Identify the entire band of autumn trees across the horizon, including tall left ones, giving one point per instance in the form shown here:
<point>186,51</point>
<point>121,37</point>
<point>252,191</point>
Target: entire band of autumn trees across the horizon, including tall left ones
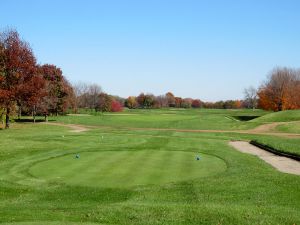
<point>27,87</point>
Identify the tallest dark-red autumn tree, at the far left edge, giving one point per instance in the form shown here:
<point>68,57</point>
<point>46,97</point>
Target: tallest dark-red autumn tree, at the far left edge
<point>18,72</point>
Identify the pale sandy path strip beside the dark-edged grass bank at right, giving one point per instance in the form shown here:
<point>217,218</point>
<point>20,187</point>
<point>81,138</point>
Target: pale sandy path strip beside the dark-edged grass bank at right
<point>283,164</point>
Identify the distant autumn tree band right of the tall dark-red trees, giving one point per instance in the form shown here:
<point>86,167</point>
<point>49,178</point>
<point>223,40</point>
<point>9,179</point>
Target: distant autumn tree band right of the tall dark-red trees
<point>280,91</point>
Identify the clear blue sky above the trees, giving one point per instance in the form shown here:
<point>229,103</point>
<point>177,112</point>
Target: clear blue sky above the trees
<point>207,49</point>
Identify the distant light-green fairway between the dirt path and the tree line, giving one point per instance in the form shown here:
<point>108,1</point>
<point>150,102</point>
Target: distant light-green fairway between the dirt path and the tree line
<point>209,119</point>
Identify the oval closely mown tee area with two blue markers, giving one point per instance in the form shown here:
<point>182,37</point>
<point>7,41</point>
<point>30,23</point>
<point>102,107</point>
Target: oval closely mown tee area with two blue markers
<point>127,168</point>
